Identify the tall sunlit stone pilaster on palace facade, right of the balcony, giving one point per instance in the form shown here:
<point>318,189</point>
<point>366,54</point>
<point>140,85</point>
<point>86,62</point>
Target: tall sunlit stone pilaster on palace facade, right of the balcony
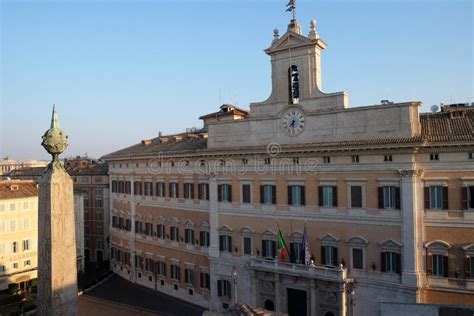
<point>412,227</point>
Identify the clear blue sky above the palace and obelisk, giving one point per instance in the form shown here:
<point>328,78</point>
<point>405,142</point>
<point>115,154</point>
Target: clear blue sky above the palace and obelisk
<point>121,71</point>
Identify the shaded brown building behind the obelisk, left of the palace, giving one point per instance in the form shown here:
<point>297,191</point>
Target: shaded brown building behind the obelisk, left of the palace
<point>91,181</point>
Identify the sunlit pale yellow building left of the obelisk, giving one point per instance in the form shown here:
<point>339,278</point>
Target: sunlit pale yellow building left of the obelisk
<point>18,233</point>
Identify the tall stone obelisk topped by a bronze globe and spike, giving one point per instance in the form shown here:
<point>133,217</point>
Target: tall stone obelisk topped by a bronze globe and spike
<point>57,270</point>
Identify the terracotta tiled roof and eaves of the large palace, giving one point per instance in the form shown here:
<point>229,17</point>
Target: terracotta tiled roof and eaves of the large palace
<point>435,127</point>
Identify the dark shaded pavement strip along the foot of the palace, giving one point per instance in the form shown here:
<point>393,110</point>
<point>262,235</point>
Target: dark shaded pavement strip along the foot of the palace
<point>124,292</point>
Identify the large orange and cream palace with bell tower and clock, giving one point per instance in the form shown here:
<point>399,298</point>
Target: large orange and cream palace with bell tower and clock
<point>384,192</point>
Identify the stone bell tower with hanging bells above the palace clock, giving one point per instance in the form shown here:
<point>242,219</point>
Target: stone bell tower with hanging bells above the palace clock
<point>296,73</point>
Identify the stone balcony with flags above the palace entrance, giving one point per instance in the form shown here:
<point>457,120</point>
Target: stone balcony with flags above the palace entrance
<point>299,270</point>
